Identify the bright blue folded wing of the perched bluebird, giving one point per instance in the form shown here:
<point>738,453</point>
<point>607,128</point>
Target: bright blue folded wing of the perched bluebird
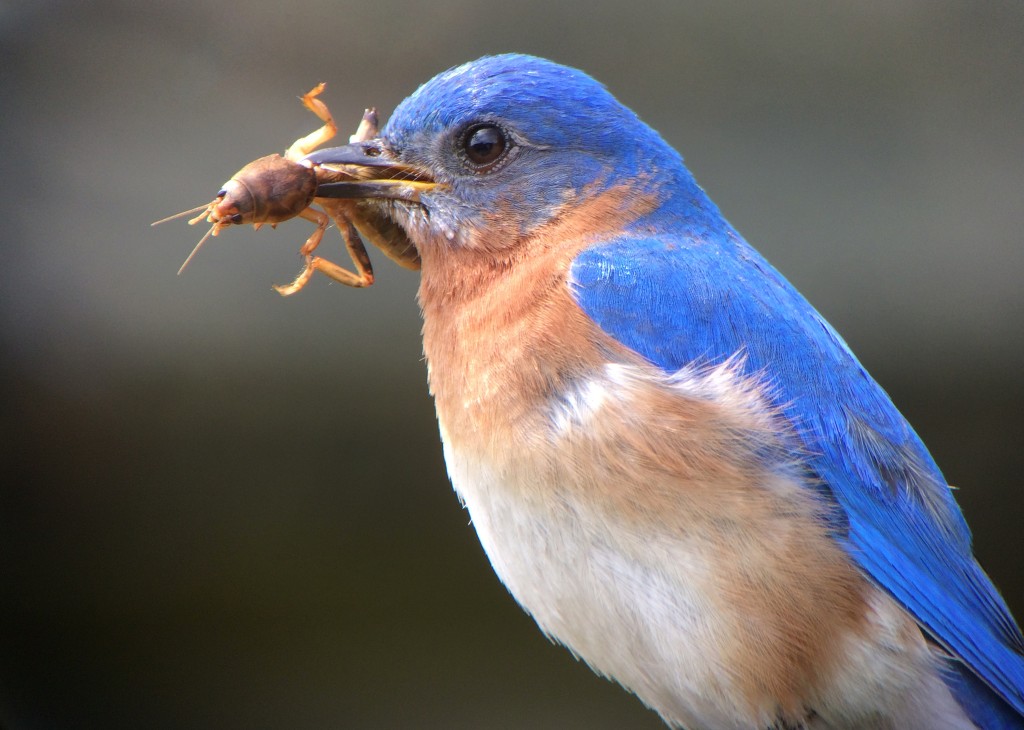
<point>706,296</point>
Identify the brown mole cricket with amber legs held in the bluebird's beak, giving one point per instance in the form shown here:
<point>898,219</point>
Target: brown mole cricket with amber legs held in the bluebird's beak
<point>276,189</point>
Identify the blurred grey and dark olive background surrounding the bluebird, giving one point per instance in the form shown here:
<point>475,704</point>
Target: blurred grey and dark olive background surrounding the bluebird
<point>221,508</point>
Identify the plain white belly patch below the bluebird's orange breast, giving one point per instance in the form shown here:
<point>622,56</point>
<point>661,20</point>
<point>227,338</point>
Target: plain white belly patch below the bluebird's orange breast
<point>592,582</point>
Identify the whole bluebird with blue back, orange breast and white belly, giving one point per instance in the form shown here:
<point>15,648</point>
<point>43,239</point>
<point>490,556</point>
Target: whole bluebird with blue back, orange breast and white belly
<point>673,462</point>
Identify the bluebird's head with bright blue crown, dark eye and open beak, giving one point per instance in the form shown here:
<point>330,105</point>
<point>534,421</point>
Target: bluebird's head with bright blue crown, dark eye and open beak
<point>499,147</point>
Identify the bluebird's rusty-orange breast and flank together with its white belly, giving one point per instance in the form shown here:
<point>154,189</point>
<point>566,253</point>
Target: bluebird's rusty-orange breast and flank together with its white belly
<point>644,524</point>
